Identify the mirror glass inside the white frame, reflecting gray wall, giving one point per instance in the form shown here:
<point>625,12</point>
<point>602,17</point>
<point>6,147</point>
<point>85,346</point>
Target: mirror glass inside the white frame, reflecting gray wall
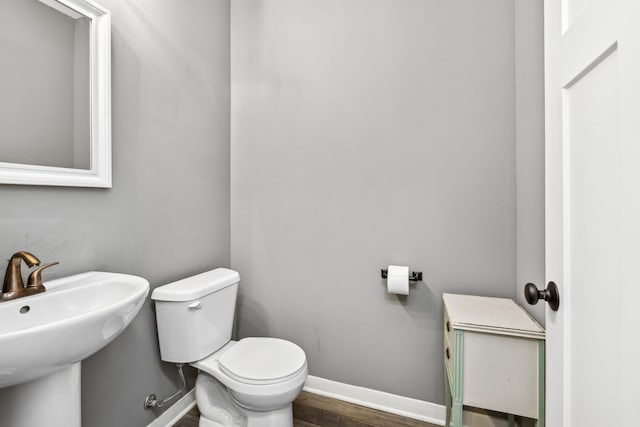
<point>44,84</point>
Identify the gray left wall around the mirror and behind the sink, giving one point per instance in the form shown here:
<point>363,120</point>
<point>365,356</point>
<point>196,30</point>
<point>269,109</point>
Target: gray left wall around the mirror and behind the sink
<point>167,215</point>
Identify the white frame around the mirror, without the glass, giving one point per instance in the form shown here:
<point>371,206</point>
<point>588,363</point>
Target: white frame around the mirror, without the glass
<point>99,174</point>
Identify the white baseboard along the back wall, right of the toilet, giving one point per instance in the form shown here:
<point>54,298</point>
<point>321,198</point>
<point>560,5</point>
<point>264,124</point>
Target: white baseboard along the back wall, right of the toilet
<point>404,406</point>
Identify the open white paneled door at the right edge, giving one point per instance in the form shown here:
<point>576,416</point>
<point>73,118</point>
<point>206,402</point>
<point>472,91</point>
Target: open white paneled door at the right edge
<point>592,80</point>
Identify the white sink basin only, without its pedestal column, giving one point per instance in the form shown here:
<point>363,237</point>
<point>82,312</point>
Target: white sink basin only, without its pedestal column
<point>77,316</point>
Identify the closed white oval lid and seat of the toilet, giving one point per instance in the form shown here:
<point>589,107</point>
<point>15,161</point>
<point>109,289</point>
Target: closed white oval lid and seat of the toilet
<point>262,360</point>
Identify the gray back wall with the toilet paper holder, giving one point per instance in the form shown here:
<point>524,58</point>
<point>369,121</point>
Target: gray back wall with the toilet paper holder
<point>367,133</point>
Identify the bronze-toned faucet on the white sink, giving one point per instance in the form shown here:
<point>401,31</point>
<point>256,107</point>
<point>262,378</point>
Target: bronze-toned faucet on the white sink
<point>13,286</point>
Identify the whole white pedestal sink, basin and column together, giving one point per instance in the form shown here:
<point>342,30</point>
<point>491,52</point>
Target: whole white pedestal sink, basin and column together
<point>44,337</point>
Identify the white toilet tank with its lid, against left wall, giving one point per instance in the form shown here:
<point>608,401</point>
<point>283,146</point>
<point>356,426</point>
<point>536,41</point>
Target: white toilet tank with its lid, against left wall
<point>195,315</point>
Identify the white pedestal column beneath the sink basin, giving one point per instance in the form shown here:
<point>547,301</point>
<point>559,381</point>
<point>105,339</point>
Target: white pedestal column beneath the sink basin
<point>52,401</point>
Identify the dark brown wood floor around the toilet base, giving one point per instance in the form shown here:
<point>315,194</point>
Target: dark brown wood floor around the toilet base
<point>312,410</point>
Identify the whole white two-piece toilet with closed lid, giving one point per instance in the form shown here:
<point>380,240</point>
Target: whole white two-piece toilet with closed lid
<point>250,382</point>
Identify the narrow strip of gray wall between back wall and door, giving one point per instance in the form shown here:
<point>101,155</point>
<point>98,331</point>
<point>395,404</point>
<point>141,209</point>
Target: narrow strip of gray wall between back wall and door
<point>529,79</point>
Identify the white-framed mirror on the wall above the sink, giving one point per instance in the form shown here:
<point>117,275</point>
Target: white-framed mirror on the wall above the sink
<point>55,77</point>
